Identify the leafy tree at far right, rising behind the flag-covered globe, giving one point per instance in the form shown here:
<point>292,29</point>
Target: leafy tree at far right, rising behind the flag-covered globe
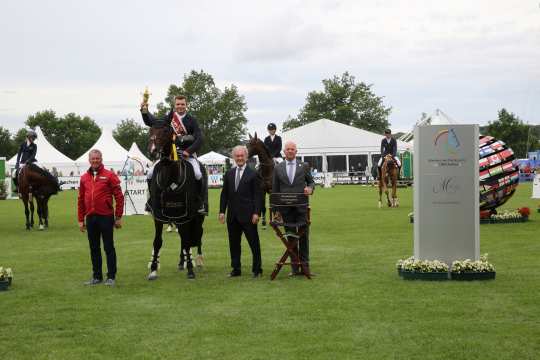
<point>510,129</point>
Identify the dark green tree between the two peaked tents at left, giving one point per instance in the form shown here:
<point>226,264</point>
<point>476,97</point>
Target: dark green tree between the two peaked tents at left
<point>72,134</point>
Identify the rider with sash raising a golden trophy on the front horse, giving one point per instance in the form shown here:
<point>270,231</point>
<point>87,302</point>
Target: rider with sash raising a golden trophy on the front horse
<point>184,124</point>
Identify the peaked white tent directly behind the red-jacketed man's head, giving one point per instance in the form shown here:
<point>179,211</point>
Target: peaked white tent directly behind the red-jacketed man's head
<point>114,155</point>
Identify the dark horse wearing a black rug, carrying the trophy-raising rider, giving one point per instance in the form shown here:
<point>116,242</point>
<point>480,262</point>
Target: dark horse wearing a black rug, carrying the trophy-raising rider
<point>173,198</point>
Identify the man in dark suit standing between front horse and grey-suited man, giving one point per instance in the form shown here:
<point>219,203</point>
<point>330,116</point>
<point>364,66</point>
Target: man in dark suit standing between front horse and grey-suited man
<point>240,197</point>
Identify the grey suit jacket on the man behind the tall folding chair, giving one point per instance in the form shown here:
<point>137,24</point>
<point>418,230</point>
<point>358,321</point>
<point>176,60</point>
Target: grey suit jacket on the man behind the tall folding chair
<point>302,178</point>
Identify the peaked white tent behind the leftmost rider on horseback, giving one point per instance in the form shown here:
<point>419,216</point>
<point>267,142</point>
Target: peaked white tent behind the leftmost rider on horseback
<point>48,156</point>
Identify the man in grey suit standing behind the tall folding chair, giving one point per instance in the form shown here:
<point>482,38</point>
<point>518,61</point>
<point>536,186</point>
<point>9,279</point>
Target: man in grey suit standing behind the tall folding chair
<point>292,176</point>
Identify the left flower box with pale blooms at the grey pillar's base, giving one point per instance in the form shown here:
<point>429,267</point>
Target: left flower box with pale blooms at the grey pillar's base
<point>413,269</point>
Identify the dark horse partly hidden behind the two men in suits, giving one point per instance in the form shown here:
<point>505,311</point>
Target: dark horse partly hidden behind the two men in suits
<point>255,146</point>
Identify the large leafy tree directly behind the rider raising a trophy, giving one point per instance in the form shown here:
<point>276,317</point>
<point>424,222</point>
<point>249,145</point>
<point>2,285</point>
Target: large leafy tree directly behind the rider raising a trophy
<point>220,113</point>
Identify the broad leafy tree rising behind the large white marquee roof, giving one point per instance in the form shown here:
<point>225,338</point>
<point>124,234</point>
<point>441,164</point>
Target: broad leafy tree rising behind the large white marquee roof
<point>345,101</point>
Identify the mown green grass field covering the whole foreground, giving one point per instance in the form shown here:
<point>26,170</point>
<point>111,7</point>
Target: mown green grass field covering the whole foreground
<point>355,308</point>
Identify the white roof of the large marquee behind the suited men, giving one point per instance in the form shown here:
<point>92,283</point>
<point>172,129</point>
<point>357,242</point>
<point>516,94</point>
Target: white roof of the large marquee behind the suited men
<point>330,137</point>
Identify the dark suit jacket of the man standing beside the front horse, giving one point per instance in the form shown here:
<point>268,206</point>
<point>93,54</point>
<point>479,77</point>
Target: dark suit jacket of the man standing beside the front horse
<point>244,202</point>
